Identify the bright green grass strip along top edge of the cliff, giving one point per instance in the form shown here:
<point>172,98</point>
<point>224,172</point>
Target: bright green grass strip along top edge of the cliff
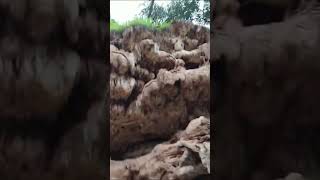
<point>148,23</point>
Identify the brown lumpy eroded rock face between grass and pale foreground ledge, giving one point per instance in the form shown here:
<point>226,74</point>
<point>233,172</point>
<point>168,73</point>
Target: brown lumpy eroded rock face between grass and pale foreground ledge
<point>156,87</point>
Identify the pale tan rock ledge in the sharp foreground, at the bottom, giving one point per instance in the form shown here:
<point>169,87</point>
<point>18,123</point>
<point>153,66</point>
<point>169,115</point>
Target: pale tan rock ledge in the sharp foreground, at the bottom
<point>185,156</point>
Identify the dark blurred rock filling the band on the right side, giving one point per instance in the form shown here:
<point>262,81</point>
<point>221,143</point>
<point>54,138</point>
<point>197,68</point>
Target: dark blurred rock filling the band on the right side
<point>266,89</point>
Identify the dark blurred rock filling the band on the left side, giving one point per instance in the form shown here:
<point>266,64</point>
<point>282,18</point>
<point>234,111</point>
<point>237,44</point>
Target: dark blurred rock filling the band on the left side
<point>52,89</point>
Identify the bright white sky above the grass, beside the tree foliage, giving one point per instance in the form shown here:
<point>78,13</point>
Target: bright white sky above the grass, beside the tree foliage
<point>125,10</point>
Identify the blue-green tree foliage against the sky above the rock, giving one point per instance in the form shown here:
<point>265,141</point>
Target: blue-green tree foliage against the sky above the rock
<point>190,10</point>
